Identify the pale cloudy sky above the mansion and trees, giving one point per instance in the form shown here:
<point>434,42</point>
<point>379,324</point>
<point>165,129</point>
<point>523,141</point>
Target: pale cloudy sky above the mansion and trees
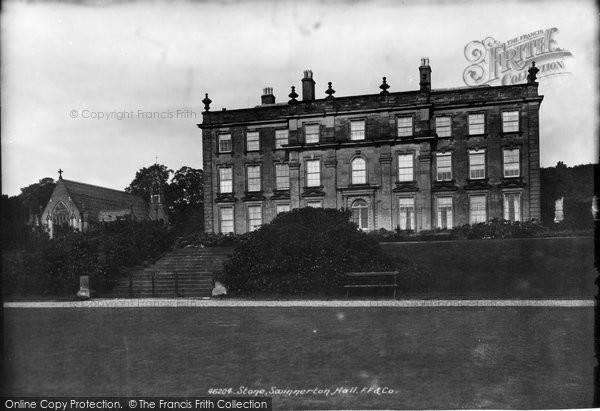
<point>85,84</point>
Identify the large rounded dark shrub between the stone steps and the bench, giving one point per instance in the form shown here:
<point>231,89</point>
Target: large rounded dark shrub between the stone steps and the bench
<point>306,250</point>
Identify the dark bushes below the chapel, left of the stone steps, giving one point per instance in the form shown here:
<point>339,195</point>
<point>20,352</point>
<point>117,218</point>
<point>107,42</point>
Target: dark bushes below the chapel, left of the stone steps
<point>53,267</point>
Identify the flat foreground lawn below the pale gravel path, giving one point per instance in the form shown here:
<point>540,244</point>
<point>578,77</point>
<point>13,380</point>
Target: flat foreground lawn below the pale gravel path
<point>431,357</point>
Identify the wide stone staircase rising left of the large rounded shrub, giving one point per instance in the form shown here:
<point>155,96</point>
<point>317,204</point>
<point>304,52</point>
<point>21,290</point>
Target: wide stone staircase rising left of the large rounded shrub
<point>185,272</point>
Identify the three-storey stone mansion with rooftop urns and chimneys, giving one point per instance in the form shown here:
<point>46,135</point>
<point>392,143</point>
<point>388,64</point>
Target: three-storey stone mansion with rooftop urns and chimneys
<point>414,160</point>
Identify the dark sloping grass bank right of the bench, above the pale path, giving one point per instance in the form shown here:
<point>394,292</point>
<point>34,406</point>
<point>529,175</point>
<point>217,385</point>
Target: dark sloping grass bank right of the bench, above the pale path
<point>511,268</point>
